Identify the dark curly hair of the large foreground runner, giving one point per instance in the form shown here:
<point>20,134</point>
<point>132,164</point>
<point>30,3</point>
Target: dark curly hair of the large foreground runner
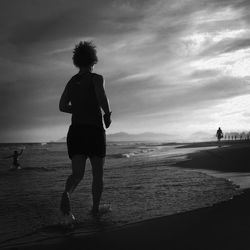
<point>84,54</point>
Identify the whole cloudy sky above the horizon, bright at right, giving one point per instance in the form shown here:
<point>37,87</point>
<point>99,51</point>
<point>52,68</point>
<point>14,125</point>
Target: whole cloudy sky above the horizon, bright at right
<point>170,66</point>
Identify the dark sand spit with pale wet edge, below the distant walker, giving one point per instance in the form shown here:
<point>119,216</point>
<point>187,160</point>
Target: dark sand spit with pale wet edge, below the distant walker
<point>219,163</point>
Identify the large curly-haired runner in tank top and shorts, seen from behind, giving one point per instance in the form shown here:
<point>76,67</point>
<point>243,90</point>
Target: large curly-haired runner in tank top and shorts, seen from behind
<point>84,97</point>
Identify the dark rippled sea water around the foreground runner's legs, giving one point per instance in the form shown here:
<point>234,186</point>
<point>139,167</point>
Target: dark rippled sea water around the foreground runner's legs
<point>141,182</point>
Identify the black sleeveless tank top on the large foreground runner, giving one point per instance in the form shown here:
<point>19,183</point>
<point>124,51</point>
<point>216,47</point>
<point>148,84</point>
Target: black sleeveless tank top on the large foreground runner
<point>85,107</point>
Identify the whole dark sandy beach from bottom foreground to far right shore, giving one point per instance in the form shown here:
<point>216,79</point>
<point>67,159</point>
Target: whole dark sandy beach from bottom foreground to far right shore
<point>225,225</point>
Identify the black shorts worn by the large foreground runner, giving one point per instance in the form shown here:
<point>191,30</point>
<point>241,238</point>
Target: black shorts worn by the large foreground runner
<point>86,140</point>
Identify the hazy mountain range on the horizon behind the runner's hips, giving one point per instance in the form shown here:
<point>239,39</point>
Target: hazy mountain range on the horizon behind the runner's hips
<point>122,136</point>
